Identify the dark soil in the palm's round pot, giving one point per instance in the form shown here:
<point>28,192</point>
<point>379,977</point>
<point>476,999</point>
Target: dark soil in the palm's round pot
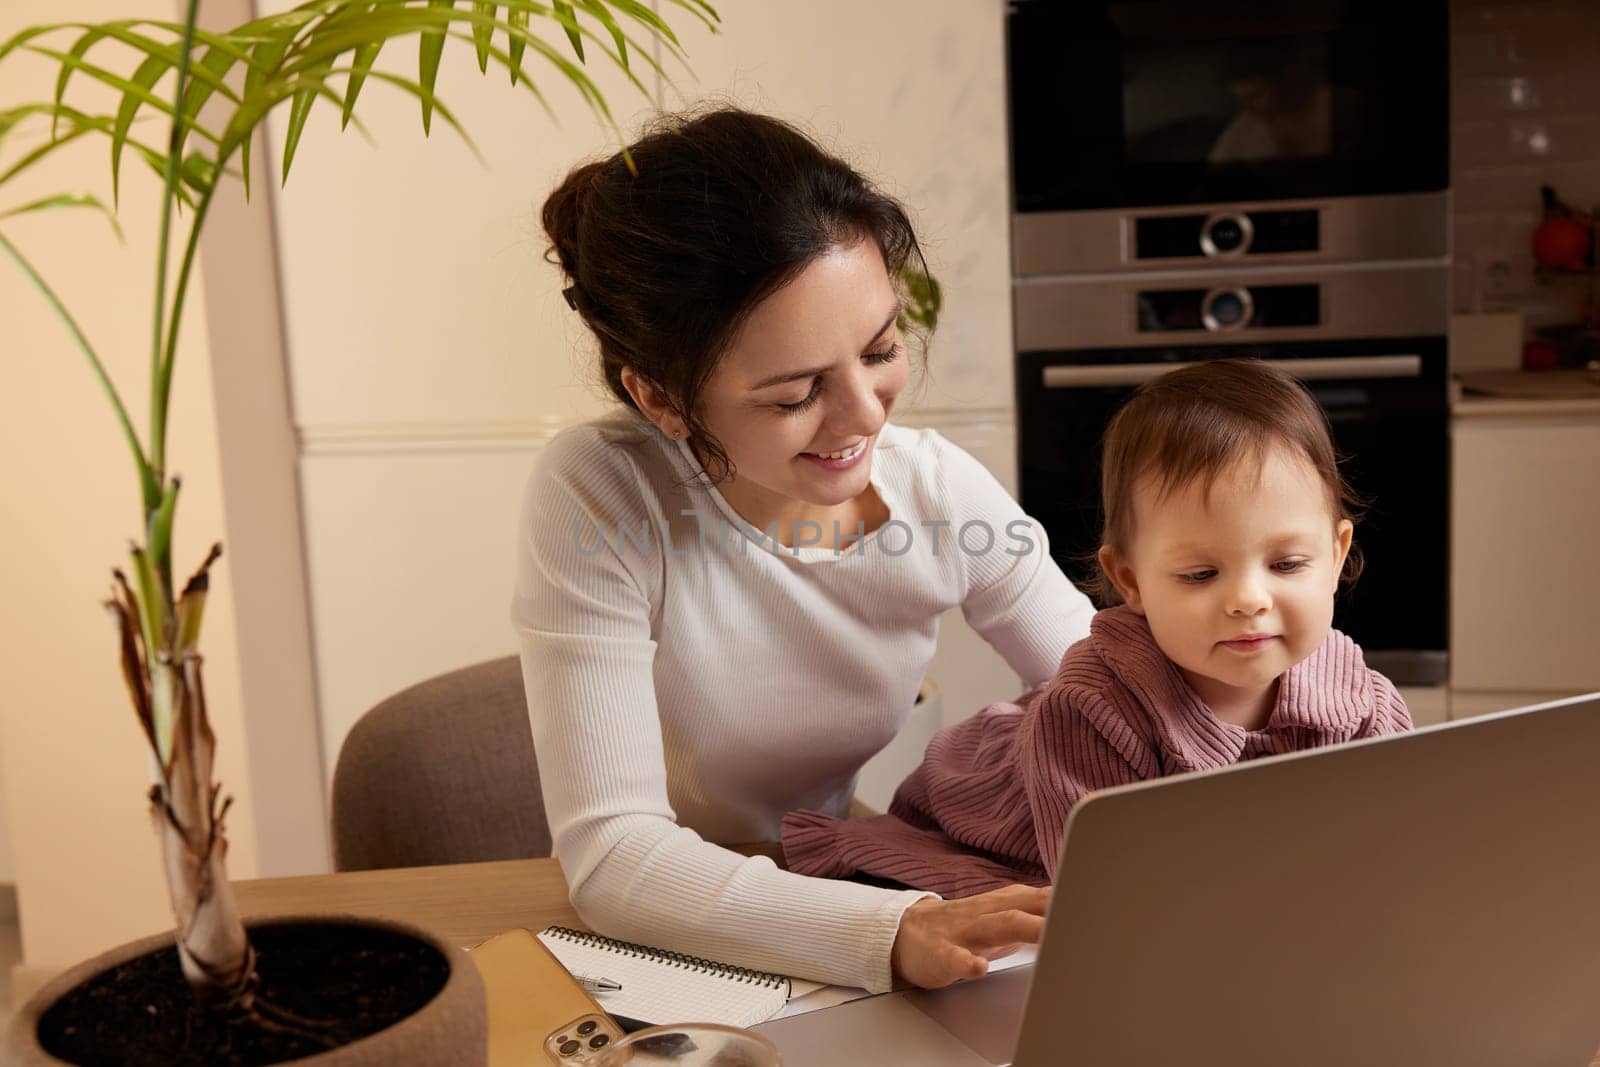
<point>356,978</point>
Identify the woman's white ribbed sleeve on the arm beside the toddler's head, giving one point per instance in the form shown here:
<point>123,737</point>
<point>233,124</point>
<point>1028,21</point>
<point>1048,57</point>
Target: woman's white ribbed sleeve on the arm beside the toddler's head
<point>1017,596</point>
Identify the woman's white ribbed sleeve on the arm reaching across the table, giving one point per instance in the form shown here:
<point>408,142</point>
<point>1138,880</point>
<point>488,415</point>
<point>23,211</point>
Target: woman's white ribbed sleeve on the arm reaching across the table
<point>585,613</point>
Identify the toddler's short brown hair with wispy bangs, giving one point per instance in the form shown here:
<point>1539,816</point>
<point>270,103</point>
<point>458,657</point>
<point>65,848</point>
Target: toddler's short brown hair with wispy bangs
<point>1199,422</point>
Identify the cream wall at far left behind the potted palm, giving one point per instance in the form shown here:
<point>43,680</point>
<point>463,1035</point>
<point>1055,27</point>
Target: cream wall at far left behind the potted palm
<point>76,770</point>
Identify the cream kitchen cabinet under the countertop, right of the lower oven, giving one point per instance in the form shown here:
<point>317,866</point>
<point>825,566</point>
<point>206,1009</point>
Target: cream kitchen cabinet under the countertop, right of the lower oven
<point>1526,530</point>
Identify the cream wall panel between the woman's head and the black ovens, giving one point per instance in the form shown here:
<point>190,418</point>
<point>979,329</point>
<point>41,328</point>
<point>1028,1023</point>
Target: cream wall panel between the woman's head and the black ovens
<point>911,92</point>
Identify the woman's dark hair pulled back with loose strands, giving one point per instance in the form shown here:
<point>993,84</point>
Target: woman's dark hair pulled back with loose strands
<point>719,210</point>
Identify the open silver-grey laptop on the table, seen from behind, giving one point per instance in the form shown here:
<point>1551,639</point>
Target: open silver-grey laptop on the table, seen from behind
<point>1428,898</point>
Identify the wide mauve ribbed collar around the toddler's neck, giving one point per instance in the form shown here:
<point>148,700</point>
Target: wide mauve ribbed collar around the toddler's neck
<point>1329,693</point>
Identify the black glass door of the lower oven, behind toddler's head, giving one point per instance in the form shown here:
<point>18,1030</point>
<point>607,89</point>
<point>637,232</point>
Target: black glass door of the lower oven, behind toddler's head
<point>1390,428</point>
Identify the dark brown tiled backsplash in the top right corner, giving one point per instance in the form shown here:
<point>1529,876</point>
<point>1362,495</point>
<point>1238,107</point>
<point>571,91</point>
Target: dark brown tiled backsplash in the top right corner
<point>1526,113</point>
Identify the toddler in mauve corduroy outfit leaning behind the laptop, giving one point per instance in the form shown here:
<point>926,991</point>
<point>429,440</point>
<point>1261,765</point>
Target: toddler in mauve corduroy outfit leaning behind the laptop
<point>1228,532</point>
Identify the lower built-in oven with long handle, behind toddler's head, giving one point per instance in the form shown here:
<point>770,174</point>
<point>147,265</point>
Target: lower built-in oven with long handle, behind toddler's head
<point>1367,342</point>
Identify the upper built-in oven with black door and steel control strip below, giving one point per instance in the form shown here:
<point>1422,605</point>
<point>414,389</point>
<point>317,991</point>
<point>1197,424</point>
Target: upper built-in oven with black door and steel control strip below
<point>1169,134</point>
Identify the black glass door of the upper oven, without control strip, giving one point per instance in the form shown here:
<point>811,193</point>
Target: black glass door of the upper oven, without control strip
<point>1148,103</point>
